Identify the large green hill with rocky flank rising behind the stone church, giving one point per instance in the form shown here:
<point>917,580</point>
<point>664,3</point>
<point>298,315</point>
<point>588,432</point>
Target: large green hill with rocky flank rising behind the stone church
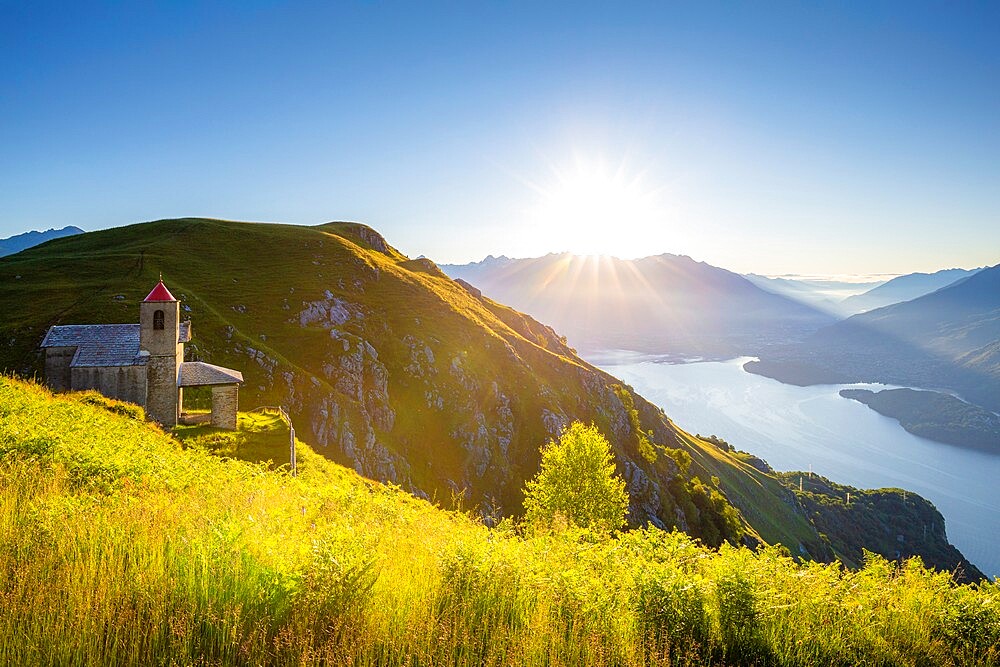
<point>385,363</point>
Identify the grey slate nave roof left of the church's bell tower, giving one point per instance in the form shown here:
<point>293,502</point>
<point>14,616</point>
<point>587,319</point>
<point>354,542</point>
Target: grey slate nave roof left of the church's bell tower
<point>98,344</point>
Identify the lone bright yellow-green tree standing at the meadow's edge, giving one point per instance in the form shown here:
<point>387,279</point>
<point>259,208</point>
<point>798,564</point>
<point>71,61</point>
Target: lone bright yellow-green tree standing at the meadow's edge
<point>577,482</point>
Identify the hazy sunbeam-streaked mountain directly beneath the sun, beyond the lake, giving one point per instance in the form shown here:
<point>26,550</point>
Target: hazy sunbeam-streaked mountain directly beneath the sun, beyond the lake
<point>663,304</point>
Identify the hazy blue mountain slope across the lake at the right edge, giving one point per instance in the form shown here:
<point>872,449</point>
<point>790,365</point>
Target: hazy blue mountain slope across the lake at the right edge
<point>947,339</point>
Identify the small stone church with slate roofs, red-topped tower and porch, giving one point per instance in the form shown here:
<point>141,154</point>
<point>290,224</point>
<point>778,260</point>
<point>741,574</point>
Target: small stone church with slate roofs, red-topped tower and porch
<point>141,363</point>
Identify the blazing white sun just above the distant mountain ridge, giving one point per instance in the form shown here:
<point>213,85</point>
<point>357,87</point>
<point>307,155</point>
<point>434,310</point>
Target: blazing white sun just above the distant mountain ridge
<point>593,207</point>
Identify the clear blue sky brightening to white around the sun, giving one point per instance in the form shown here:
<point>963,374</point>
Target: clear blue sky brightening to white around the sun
<point>853,137</point>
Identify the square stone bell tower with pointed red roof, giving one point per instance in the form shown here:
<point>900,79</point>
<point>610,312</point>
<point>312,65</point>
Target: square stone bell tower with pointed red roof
<point>159,337</point>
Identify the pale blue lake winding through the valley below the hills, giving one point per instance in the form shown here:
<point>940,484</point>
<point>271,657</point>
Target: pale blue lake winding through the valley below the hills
<point>794,428</point>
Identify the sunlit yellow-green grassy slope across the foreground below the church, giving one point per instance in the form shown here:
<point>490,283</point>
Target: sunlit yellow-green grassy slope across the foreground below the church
<point>120,546</point>
